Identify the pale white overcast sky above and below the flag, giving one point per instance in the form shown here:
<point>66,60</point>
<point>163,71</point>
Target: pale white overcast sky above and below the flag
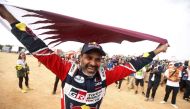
<point>168,19</point>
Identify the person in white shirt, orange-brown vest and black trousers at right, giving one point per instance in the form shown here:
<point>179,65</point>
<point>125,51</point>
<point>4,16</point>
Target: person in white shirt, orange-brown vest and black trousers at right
<point>173,77</point>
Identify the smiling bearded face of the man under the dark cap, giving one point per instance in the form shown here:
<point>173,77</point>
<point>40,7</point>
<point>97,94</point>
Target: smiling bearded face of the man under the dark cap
<point>90,62</point>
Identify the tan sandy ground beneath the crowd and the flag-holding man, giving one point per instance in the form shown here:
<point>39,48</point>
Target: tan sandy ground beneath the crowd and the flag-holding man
<point>42,80</point>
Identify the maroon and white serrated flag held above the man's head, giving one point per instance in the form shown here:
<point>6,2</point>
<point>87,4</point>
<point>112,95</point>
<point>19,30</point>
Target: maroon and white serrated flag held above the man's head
<point>64,28</point>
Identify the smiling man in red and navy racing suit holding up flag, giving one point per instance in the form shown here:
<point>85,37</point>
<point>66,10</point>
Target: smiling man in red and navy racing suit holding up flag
<point>83,84</point>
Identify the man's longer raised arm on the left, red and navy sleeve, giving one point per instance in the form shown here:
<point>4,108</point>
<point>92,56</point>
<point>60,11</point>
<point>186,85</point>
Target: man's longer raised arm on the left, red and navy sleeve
<point>36,46</point>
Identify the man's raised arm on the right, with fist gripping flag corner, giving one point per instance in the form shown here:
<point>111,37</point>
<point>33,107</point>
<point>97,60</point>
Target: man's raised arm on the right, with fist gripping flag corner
<point>134,65</point>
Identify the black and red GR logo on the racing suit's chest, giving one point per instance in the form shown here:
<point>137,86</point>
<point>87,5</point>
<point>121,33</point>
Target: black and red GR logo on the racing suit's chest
<point>77,94</point>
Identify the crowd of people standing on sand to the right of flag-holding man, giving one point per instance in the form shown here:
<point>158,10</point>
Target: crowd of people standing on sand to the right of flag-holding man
<point>175,75</point>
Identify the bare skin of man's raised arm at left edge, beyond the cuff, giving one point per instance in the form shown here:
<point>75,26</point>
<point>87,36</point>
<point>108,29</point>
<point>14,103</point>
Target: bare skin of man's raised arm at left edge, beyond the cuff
<point>5,14</point>
